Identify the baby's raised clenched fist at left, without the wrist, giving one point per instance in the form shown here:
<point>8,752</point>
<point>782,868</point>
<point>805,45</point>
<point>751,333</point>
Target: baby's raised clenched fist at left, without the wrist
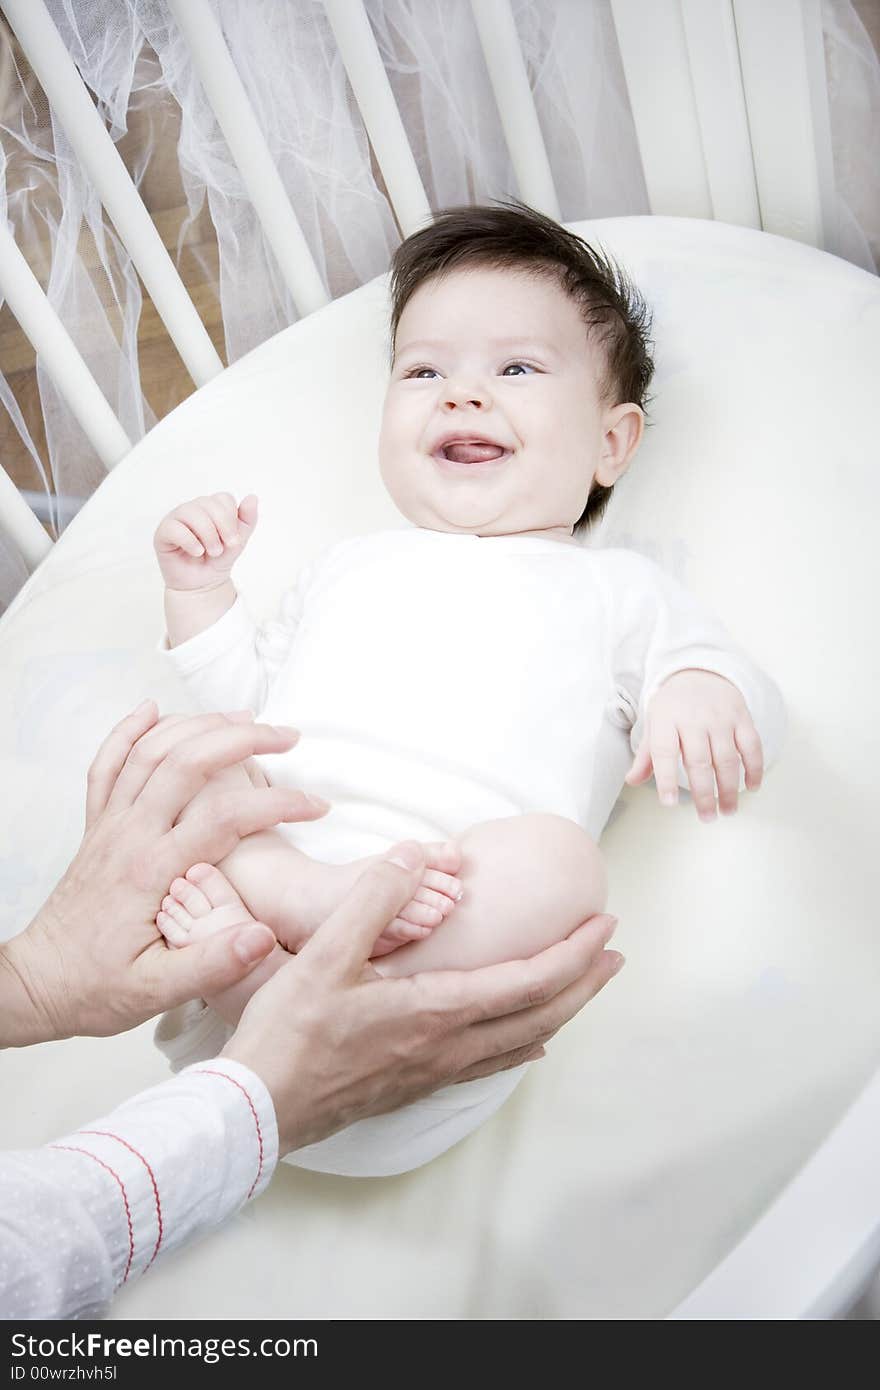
<point>198,544</point>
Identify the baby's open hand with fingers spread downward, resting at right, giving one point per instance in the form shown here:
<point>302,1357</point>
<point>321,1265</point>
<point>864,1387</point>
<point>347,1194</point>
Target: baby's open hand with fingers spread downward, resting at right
<point>704,717</point>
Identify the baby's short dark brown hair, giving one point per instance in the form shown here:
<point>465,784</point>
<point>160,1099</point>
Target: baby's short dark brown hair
<point>511,236</point>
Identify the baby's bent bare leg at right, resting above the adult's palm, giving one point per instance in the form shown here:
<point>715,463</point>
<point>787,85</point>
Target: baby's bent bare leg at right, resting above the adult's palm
<point>529,882</point>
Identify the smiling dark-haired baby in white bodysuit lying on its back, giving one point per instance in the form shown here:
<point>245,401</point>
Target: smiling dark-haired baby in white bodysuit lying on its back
<point>480,680</point>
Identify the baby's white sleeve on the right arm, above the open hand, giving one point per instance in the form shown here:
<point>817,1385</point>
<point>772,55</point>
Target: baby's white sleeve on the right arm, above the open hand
<point>658,628</point>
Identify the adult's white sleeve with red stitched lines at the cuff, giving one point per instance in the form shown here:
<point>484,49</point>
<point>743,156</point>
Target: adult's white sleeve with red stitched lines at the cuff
<point>92,1211</point>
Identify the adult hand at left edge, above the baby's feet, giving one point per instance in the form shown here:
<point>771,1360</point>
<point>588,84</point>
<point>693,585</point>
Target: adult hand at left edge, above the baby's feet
<point>92,961</point>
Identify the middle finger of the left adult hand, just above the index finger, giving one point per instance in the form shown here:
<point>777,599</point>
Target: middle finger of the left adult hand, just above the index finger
<point>193,762</point>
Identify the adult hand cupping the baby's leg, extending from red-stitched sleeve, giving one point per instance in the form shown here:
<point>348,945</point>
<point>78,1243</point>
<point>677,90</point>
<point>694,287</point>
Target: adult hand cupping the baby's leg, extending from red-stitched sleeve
<point>333,1040</point>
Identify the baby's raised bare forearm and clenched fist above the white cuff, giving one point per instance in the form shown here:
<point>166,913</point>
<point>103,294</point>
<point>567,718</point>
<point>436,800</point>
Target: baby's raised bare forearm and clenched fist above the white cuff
<point>197,547</point>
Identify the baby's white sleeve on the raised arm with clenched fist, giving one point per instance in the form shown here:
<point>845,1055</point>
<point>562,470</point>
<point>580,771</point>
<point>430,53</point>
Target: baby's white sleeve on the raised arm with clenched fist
<point>233,664</point>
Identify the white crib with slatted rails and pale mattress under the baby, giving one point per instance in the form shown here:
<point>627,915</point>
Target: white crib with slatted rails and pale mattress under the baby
<point>704,1140</point>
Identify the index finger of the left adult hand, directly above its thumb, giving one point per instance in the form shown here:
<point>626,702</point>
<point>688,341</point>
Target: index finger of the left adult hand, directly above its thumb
<point>218,824</point>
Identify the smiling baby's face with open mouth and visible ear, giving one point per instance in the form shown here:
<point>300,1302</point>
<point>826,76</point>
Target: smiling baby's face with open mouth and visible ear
<point>494,422</point>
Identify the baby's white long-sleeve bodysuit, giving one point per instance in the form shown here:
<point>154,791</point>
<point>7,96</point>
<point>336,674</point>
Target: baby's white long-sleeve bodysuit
<point>441,680</point>
